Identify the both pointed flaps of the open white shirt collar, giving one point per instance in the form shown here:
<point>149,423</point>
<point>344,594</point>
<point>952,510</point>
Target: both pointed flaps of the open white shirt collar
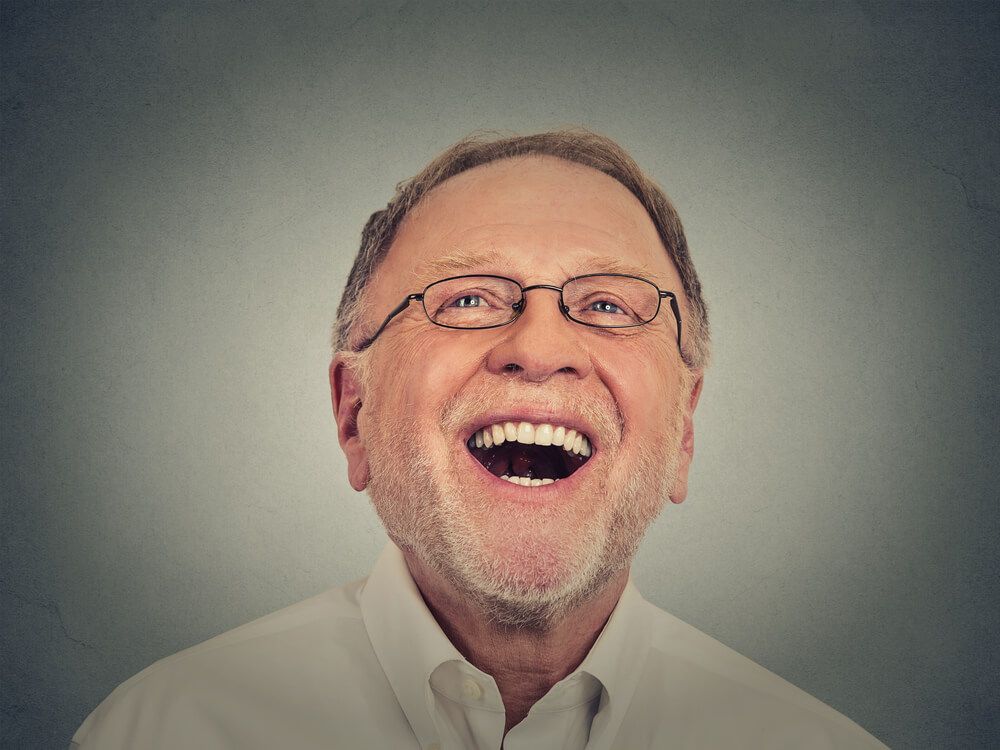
<point>410,645</point>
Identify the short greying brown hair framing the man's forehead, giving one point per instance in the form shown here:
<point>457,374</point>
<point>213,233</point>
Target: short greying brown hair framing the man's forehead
<point>576,145</point>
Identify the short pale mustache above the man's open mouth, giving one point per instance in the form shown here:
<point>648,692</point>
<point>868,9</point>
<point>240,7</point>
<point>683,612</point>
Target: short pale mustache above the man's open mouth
<point>599,411</point>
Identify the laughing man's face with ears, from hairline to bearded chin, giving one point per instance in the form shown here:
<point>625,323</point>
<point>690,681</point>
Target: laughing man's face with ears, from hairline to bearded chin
<point>518,548</point>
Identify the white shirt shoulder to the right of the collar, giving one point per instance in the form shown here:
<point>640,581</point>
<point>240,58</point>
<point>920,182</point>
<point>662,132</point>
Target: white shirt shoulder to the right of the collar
<point>724,699</point>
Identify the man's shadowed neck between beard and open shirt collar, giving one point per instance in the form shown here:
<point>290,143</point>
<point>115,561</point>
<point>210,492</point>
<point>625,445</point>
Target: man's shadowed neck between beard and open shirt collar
<point>525,663</point>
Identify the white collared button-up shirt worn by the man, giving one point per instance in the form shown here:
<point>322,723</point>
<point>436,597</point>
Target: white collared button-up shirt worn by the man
<point>367,666</point>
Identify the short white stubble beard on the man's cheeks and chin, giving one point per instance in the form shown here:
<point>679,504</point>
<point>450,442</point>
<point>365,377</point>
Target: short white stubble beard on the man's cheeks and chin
<point>415,487</point>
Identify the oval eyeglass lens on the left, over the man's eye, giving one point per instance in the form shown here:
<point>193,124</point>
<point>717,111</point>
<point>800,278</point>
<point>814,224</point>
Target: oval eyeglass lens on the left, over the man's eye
<point>472,301</point>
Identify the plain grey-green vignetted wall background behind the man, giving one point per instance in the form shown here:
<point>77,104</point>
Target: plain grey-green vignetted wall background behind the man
<point>183,190</point>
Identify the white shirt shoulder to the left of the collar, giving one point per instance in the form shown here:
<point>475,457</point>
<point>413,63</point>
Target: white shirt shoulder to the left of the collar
<point>303,666</point>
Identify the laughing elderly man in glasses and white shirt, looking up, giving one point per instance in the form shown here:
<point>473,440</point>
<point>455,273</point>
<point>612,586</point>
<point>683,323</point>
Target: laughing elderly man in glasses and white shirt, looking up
<point>519,354</point>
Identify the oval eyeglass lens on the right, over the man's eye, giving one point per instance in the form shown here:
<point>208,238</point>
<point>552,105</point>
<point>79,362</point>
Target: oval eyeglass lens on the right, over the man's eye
<point>611,301</point>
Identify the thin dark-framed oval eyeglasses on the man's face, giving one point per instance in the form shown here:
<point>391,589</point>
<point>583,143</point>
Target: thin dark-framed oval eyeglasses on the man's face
<point>597,300</point>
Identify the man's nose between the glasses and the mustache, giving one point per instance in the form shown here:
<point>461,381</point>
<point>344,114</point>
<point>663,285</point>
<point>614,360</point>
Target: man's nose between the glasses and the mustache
<point>541,343</point>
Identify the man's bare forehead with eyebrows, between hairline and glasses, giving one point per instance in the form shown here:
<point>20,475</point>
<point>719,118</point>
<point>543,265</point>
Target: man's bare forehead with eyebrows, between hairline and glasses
<point>538,219</point>
